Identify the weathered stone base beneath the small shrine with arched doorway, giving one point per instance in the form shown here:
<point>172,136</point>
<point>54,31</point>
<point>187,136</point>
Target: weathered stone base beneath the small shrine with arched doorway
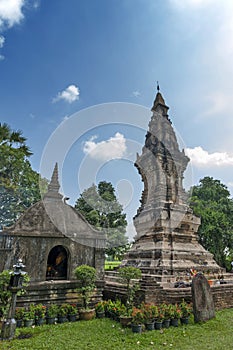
<point>57,292</point>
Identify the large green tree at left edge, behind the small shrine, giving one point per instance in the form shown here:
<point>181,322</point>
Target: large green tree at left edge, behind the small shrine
<point>19,183</point>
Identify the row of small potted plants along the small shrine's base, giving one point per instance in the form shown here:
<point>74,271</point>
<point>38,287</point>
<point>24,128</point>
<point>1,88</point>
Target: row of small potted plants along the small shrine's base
<point>39,314</point>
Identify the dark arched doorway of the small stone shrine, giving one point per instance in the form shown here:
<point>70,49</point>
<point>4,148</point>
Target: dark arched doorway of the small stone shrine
<point>57,263</point>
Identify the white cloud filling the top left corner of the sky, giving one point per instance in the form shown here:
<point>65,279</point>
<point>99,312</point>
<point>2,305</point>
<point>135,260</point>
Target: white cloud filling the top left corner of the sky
<point>11,12</point>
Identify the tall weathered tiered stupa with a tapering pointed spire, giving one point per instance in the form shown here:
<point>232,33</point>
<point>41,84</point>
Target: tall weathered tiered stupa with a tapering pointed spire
<point>167,241</point>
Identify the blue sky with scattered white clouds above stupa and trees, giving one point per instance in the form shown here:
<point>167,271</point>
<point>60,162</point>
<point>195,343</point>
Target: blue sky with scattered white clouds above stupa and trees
<point>60,57</point>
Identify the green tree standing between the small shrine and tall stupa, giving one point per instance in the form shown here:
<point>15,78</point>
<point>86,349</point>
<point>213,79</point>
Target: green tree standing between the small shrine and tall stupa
<point>100,207</point>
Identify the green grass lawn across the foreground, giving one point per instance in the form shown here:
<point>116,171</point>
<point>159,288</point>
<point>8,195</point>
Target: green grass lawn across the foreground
<point>106,334</point>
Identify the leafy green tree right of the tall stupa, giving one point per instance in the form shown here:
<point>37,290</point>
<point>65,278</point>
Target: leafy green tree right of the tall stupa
<point>211,201</point>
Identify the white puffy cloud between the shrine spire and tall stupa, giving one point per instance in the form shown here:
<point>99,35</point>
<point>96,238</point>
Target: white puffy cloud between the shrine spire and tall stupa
<point>114,147</point>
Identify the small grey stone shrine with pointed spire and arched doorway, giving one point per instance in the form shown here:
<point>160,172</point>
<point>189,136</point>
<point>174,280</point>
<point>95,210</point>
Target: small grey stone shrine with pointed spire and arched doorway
<point>52,239</point>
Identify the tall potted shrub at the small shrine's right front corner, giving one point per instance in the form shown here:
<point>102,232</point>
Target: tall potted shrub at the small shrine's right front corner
<point>86,275</point>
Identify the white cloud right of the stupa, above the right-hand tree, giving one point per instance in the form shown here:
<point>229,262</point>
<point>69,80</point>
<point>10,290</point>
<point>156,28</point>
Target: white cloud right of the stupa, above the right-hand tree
<point>201,158</point>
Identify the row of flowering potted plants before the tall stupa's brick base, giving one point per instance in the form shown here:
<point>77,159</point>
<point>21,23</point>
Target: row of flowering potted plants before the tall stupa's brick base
<point>149,315</point>
